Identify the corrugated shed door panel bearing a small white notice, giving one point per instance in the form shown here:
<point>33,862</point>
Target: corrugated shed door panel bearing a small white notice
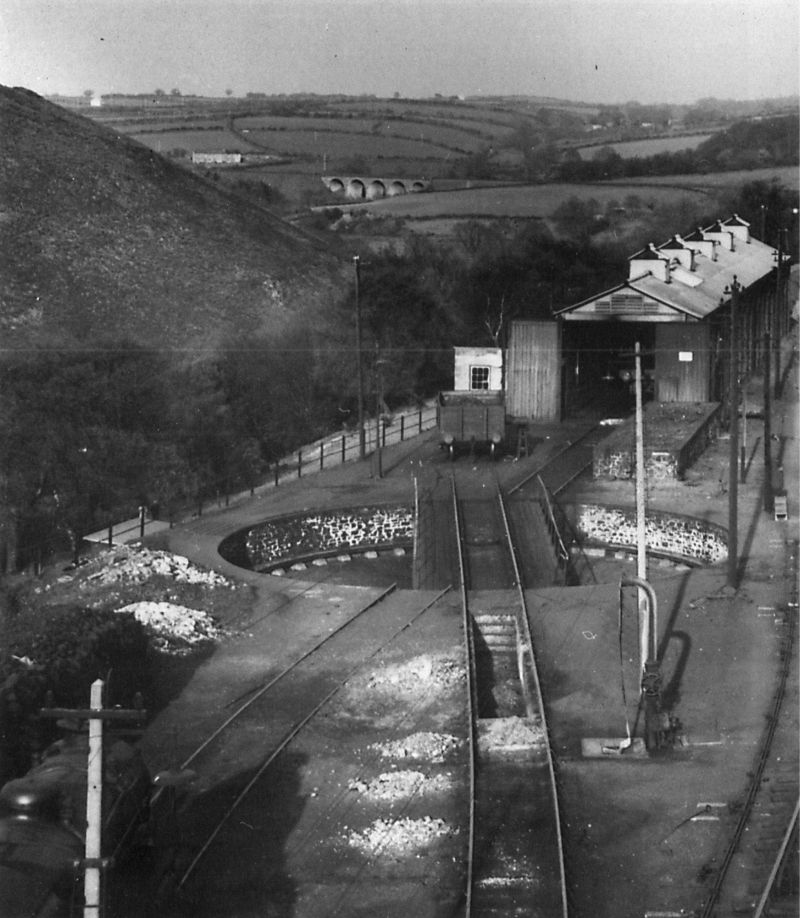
<point>682,365</point>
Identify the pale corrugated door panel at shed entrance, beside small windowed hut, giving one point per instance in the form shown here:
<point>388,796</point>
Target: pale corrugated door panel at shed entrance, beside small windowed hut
<point>533,378</point>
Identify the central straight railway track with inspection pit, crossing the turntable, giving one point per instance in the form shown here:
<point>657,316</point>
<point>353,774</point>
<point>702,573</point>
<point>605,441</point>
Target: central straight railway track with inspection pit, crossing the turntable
<point>515,851</point>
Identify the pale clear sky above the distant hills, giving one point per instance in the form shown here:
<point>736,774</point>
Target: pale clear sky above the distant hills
<point>596,51</point>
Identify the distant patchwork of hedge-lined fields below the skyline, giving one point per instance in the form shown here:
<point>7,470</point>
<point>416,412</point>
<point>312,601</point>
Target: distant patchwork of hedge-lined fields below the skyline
<point>429,139</point>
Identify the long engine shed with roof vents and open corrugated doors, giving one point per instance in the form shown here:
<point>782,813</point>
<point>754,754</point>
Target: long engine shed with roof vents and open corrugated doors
<point>676,303</point>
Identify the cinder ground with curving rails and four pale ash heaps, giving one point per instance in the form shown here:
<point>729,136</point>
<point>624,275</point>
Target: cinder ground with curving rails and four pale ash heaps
<point>352,769</point>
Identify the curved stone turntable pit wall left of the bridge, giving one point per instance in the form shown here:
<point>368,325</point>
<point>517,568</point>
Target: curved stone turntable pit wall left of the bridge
<point>288,539</point>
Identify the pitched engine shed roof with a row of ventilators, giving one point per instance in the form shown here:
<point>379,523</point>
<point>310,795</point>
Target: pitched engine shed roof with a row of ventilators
<point>681,295</point>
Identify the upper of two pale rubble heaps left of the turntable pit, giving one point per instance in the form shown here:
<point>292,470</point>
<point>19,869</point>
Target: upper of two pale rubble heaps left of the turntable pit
<point>132,564</point>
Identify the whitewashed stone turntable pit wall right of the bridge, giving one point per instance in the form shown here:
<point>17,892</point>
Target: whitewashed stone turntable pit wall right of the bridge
<point>667,534</point>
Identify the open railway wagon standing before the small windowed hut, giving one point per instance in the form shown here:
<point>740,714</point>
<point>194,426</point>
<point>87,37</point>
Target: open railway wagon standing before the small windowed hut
<point>472,419</point>
